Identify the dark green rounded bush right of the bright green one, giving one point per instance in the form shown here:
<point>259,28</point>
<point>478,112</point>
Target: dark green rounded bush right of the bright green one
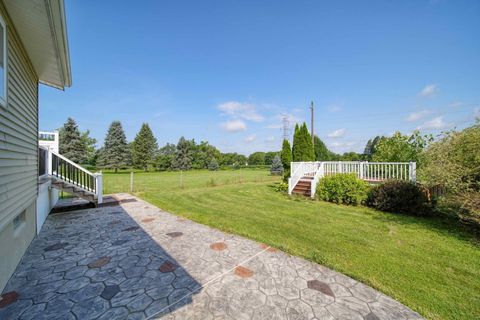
<point>399,197</point>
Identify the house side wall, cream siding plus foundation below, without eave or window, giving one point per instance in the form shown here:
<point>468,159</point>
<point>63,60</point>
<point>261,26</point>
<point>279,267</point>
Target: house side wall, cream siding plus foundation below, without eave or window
<point>18,154</point>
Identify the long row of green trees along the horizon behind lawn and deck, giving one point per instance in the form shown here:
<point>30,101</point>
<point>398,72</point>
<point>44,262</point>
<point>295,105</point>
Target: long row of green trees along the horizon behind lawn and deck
<point>144,153</point>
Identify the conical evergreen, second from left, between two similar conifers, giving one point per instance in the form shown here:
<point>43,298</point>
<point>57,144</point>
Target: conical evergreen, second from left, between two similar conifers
<point>115,151</point>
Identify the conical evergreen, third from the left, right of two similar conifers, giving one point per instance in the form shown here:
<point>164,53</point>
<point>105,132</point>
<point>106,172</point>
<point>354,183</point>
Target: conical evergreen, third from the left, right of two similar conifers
<point>144,147</point>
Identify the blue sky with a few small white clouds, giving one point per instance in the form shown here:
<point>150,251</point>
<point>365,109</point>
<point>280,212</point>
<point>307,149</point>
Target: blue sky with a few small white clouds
<point>228,71</point>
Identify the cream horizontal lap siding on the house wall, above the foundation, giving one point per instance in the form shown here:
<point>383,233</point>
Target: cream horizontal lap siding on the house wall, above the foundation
<point>18,131</point>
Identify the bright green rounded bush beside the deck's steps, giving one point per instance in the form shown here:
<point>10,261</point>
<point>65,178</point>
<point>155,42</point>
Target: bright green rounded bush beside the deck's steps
<point>342,188</point>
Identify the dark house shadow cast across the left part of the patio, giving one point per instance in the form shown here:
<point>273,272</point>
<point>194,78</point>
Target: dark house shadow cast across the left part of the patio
<point>97,263</point>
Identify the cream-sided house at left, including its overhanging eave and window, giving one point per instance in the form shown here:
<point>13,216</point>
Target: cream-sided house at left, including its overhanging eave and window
<point>33,50</point>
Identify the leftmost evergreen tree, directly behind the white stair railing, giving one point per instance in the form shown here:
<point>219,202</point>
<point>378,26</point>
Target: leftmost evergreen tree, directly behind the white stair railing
<point>71,144</point>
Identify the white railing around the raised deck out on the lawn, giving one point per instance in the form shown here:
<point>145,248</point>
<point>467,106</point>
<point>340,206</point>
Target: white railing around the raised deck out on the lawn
<point>368,171</point>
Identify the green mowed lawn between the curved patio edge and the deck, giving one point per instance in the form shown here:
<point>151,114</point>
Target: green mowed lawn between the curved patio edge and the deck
<point>429,264</point>
